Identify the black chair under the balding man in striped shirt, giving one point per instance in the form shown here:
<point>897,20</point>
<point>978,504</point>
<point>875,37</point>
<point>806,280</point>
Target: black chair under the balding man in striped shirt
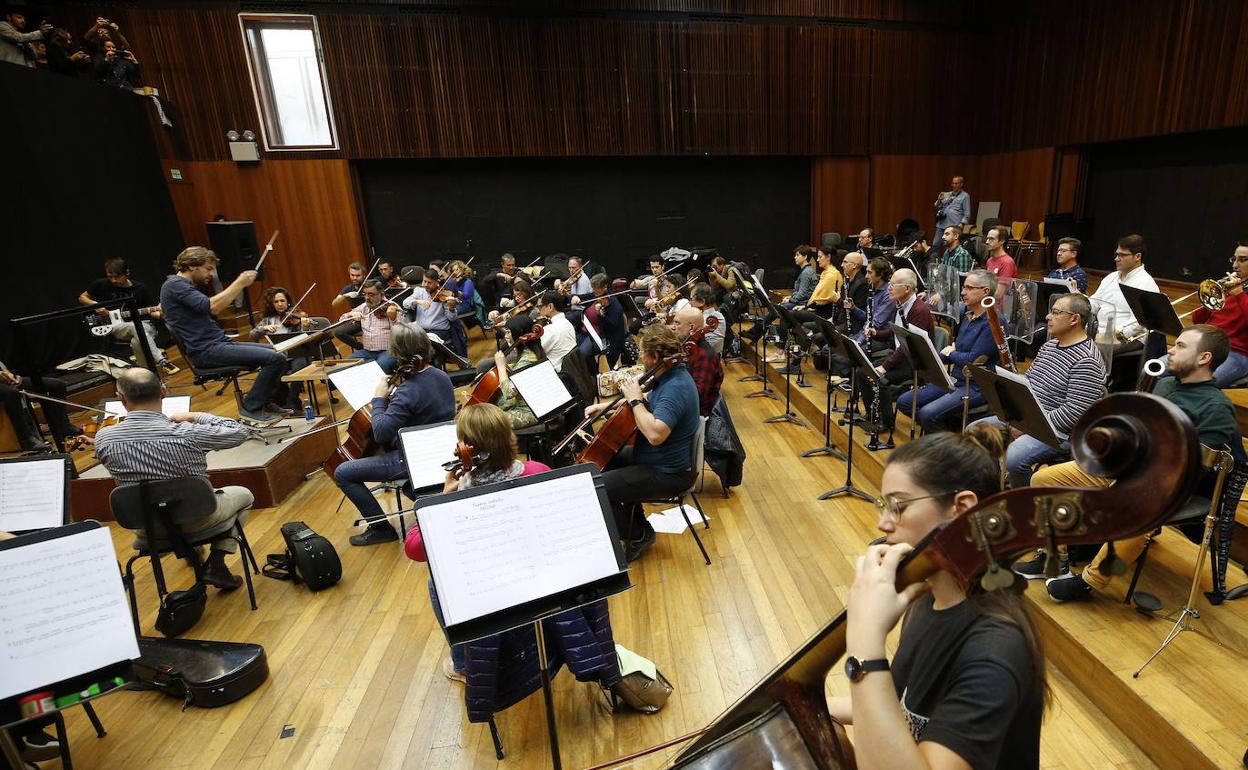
<point>173,504</point>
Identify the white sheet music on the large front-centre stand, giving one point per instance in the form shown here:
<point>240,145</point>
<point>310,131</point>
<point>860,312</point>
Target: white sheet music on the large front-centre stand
<point>496,551</point>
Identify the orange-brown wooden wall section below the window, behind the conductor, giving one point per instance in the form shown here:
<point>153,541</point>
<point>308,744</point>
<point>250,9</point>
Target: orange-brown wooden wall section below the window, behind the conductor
<point>311,202</point>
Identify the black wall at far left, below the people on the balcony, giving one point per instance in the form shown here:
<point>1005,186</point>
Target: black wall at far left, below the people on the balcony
<point>83,183</point>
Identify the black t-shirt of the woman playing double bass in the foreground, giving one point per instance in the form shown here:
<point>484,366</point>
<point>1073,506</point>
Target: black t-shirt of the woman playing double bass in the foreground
<point>965,682</point>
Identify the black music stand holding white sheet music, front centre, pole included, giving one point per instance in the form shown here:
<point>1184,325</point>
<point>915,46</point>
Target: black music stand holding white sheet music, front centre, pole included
<point>489,585</point>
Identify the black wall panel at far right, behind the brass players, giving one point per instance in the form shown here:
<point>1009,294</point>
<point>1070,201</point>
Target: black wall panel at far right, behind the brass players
<point>1187,195</point>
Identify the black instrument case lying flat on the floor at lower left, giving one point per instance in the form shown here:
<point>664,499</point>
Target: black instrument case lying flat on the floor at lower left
<point>202,673</point>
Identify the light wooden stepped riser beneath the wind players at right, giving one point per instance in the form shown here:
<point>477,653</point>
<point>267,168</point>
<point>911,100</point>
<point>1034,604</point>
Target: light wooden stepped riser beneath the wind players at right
<point>1190,707</point>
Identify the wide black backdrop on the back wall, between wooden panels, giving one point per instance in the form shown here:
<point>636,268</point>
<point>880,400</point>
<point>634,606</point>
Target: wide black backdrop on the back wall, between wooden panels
<point>617,212</point>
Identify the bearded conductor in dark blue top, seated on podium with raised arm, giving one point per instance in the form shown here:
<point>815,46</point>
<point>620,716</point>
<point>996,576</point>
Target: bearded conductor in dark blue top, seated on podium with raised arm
<point>189,313</point>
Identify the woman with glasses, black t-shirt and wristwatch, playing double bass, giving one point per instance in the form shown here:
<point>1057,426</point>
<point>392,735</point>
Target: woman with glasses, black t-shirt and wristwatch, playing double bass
<point>967,687</point>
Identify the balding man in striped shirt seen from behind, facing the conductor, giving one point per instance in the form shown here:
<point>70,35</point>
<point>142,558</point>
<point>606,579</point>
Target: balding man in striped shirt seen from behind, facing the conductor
<point>149,446</point>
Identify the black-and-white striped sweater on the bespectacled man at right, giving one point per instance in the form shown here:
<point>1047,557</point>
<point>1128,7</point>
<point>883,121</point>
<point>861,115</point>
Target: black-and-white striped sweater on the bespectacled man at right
<point>1068,381</point>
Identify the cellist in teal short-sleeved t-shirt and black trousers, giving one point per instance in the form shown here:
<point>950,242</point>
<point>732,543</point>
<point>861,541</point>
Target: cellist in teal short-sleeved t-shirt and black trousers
<point>667,425</point>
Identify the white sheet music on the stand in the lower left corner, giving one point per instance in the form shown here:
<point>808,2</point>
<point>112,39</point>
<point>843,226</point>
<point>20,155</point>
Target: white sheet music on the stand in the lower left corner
<point>64,612</point>
